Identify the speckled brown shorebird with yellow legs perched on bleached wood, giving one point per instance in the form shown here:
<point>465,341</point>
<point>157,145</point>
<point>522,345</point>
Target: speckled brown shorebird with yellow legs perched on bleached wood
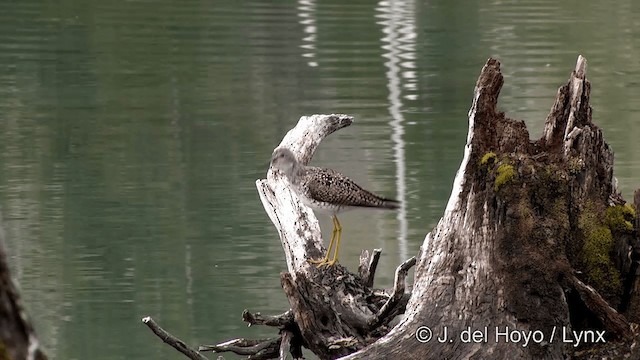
<point>328,191</point>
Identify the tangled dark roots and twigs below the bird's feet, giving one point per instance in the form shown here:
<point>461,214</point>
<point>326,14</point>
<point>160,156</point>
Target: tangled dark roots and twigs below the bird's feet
<point>386,304</point>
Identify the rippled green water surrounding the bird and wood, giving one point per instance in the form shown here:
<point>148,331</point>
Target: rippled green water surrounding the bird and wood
<point>132,132</point>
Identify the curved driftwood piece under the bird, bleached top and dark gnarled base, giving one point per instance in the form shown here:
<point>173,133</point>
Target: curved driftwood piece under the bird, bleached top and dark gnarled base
<point>335,311</point>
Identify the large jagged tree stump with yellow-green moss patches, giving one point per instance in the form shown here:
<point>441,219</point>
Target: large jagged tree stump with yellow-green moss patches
<point>532,239</point>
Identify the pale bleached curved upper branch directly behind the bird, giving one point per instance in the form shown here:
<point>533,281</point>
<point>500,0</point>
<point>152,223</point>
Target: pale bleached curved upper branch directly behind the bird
<point>297,225</point>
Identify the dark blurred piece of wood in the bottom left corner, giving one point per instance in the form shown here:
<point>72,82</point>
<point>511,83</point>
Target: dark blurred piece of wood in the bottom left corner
<point>18,339</point>
